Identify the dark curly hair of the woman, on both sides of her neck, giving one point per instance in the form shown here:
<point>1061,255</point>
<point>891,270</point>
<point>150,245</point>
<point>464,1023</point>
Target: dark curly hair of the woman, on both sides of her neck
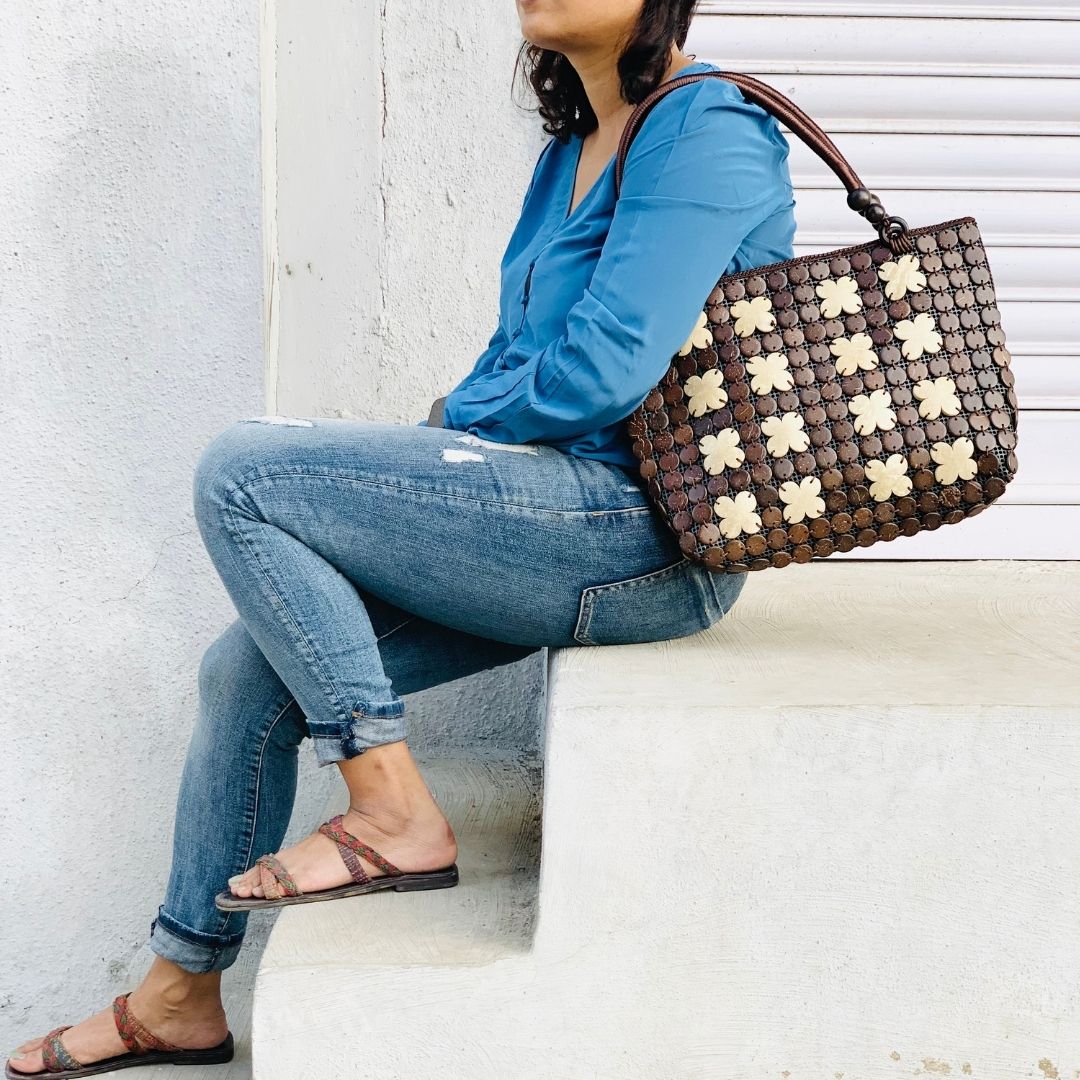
<point>564,104</point>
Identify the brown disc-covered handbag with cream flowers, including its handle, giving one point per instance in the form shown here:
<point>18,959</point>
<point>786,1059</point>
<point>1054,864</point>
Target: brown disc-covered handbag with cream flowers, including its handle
<point>833,400</point>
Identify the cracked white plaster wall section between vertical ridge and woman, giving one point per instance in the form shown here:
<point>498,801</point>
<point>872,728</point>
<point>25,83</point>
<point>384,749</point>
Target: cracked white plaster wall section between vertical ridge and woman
<point>402,156</point>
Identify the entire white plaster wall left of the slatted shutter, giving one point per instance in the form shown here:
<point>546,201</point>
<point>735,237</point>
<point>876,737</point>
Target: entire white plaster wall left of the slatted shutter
<point>131,333</point>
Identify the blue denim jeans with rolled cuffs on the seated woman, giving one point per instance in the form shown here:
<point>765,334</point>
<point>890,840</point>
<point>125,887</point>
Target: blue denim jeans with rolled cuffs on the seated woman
<point>371,560</point>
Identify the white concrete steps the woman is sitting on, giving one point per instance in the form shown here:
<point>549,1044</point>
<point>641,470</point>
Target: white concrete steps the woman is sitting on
<point>838,833</point>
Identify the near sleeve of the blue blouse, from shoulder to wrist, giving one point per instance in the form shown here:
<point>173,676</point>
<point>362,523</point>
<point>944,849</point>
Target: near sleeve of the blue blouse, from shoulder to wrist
<point>695,185</point>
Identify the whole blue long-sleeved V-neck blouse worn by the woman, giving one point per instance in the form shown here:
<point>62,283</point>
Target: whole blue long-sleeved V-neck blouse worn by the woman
<point>595,304</point>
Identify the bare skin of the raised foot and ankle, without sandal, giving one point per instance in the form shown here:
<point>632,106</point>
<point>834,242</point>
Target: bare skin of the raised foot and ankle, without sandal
<point>390,809</point>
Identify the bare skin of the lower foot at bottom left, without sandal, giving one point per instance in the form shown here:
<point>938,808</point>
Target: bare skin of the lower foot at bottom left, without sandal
<point>175,1005</point>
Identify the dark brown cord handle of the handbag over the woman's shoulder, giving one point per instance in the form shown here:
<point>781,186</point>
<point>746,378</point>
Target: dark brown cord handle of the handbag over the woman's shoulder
<point>893,231</point>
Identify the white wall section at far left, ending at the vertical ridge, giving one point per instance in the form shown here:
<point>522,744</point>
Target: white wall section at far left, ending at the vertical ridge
<point>130,334</point>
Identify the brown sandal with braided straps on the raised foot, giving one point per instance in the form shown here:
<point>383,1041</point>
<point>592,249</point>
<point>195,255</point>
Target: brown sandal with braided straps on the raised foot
<point>280,890</point>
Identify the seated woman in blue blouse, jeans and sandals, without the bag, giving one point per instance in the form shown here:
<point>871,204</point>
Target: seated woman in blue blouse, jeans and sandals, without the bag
<point>369,561</point>
